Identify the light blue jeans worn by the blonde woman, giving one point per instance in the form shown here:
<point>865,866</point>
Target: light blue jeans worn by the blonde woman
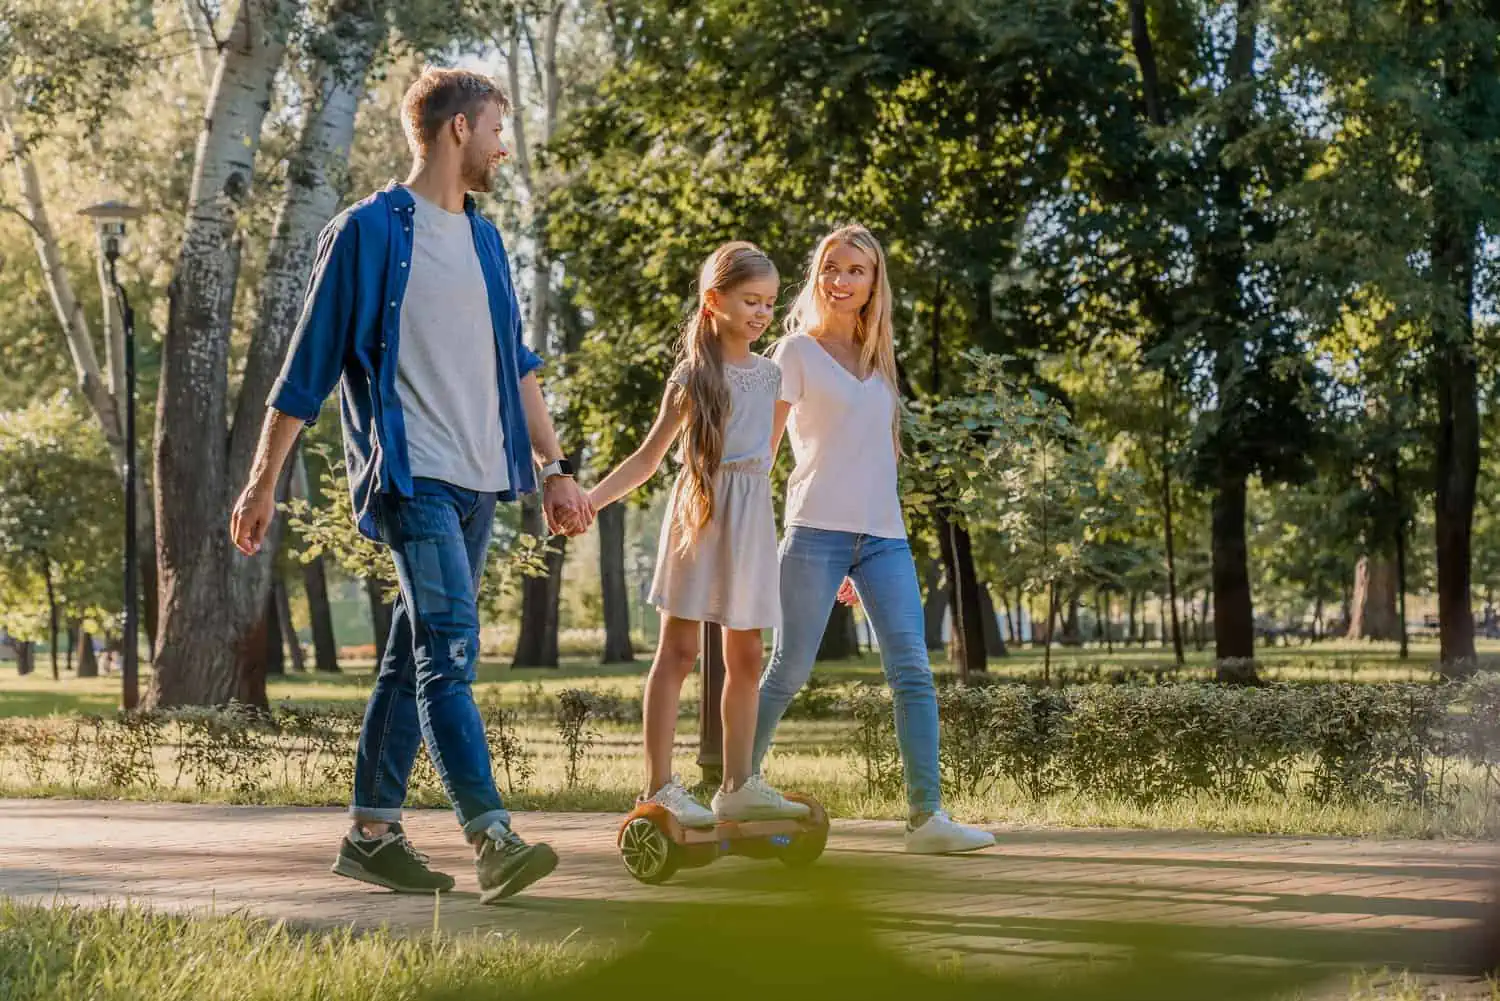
<point>814,565</point>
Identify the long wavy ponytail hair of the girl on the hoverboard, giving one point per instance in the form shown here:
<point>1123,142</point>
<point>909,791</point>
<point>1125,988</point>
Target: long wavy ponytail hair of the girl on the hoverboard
<point>701,373</point>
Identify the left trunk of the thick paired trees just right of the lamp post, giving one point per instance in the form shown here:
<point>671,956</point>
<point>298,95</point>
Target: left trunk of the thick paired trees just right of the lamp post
<point>211,597</point>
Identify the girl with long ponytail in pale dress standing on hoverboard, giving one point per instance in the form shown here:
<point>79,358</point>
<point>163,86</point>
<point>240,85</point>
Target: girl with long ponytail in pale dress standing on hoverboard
<point>718,555</point>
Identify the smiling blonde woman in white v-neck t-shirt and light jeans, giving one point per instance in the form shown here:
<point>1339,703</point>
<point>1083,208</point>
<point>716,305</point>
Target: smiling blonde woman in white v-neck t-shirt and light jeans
<point>844,516</point>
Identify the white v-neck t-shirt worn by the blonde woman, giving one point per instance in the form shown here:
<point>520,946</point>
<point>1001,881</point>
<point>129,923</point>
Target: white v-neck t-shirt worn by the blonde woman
<point>841,431</point>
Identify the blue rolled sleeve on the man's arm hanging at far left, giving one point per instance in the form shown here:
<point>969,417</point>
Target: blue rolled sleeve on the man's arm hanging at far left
<point>320,343</point>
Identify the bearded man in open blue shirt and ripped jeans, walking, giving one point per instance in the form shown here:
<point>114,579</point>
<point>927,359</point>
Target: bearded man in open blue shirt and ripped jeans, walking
<point>412,311</point>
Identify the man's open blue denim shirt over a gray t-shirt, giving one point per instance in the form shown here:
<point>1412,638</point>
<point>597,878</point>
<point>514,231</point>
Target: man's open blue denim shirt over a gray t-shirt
<point>350,335</point>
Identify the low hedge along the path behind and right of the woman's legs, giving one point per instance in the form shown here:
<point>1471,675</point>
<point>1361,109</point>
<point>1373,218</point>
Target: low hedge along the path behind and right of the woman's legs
<point>1147,745</point>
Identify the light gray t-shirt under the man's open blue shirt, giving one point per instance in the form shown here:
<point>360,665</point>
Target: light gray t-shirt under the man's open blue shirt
<point>446,368</point>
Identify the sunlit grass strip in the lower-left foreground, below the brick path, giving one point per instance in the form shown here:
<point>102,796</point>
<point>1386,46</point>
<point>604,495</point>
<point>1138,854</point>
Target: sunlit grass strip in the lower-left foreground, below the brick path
<point>71,954</point>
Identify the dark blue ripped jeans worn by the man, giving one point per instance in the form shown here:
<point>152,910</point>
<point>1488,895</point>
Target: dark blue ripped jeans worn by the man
<point>424,691</point>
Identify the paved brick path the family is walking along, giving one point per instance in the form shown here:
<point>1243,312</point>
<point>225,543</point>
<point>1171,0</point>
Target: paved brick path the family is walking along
<point>1042,897</point>
